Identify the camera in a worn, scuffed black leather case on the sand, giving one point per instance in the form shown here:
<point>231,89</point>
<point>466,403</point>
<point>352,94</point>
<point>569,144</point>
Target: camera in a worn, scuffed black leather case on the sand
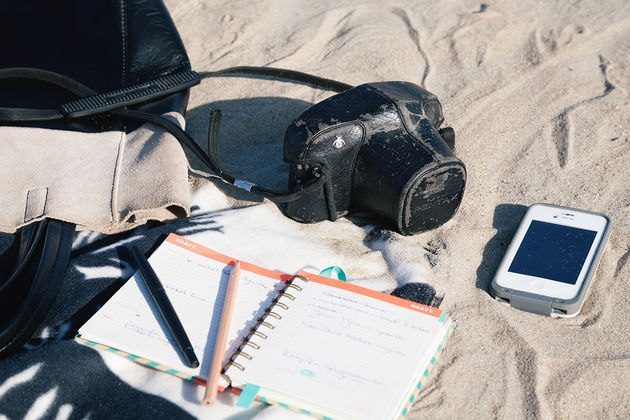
<point>380,146</point>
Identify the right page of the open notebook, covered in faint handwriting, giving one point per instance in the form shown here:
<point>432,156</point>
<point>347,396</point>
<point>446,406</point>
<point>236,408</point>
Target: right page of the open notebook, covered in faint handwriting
<point>352,351</point>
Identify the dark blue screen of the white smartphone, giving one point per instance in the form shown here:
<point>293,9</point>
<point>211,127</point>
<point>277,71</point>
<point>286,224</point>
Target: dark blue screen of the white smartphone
<point>552,251</point>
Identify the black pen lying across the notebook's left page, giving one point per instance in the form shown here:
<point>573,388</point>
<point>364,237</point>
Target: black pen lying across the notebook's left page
<point>170,318</point>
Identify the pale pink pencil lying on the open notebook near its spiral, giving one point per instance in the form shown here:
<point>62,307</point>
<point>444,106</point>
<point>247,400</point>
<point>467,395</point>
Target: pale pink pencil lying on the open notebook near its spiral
<point>224,329</point>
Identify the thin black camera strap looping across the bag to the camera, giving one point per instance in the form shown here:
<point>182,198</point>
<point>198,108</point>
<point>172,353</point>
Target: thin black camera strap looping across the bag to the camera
<point>90,103</point>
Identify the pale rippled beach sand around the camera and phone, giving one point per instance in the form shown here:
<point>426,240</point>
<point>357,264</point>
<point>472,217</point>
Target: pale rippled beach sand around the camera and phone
<point>538,95</point>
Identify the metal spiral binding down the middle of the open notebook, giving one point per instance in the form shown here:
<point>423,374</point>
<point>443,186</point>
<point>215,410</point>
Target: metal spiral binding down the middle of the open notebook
<point>262,322</point>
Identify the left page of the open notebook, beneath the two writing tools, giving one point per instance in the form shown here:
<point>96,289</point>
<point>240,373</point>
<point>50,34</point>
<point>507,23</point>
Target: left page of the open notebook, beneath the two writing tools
<point>195,279</point>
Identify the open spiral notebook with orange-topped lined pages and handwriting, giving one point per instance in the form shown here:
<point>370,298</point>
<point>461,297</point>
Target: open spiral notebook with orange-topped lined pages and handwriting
<point>308,343</point>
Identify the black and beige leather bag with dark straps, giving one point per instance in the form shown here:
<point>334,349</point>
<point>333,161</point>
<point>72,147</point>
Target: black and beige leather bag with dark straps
<point>76,71</point>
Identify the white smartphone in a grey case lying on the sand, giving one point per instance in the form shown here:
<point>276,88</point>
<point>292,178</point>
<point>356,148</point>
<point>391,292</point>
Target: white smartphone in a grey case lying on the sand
<point>551,260</point>
